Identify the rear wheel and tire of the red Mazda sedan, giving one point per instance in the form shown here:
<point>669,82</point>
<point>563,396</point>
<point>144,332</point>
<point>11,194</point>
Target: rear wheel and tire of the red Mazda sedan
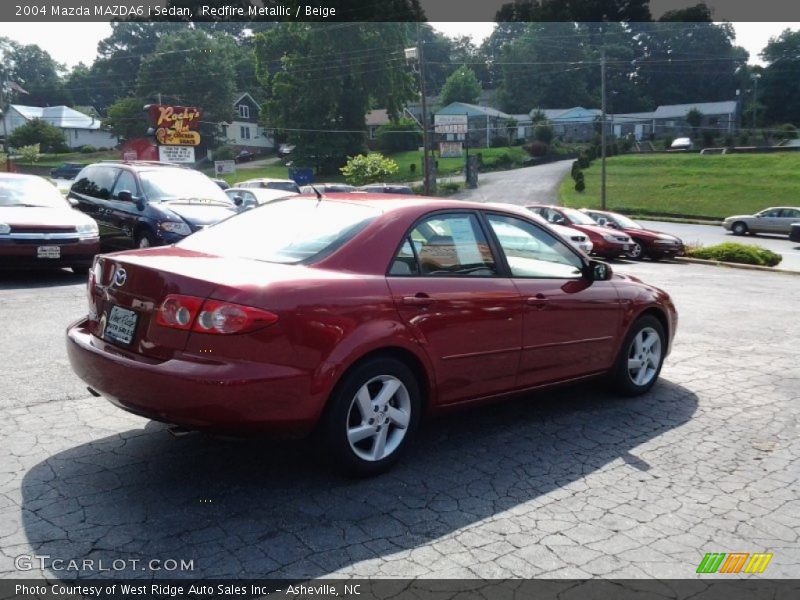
<point>371,417</point>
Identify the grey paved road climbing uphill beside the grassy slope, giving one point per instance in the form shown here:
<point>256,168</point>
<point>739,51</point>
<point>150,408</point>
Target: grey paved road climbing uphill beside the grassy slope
<point>520,186</point>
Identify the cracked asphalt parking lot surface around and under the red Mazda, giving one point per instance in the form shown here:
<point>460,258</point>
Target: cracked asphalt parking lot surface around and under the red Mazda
<point>567,483</point>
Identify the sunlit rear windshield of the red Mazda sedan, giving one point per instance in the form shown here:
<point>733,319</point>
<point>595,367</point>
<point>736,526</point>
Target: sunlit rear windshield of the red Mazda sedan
<point>284,231</point>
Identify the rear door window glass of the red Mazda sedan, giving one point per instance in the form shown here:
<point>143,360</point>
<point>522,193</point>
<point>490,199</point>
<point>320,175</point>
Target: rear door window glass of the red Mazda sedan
<point>449,245</point>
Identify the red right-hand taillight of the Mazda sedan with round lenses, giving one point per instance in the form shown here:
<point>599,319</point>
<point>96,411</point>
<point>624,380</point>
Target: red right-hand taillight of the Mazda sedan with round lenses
<point>211,316</point>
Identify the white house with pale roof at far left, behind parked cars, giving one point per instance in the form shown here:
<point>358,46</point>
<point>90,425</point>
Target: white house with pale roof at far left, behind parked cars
<point>79,129</point>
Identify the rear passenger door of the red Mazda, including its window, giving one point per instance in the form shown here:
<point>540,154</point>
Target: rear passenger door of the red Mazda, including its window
<point>448,290</point>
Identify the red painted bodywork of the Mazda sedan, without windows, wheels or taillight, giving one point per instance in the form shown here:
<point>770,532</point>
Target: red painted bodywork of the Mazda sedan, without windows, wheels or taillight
<point>474,338</point>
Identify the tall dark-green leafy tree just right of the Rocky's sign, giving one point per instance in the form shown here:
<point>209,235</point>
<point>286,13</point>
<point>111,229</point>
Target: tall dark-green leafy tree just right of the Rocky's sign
<point>321,81</point>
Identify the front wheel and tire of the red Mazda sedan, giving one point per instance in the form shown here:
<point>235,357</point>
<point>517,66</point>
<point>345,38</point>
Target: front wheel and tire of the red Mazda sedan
<point>640,358</point>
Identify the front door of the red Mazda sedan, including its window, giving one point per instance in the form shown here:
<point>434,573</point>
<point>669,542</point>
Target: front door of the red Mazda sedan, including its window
<point>570,322</point>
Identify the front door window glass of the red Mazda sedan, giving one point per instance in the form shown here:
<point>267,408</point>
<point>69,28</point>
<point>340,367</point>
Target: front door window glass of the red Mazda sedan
<point>533,252</point>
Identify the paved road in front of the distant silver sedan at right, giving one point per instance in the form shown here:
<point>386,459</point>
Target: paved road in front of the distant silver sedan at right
<point>708,235</point>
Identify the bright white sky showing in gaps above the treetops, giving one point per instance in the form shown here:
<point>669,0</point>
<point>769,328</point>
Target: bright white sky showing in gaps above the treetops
<point>81,43</point>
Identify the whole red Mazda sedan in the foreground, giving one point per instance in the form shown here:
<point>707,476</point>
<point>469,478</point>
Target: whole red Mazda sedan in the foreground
<point>351,315</point>
